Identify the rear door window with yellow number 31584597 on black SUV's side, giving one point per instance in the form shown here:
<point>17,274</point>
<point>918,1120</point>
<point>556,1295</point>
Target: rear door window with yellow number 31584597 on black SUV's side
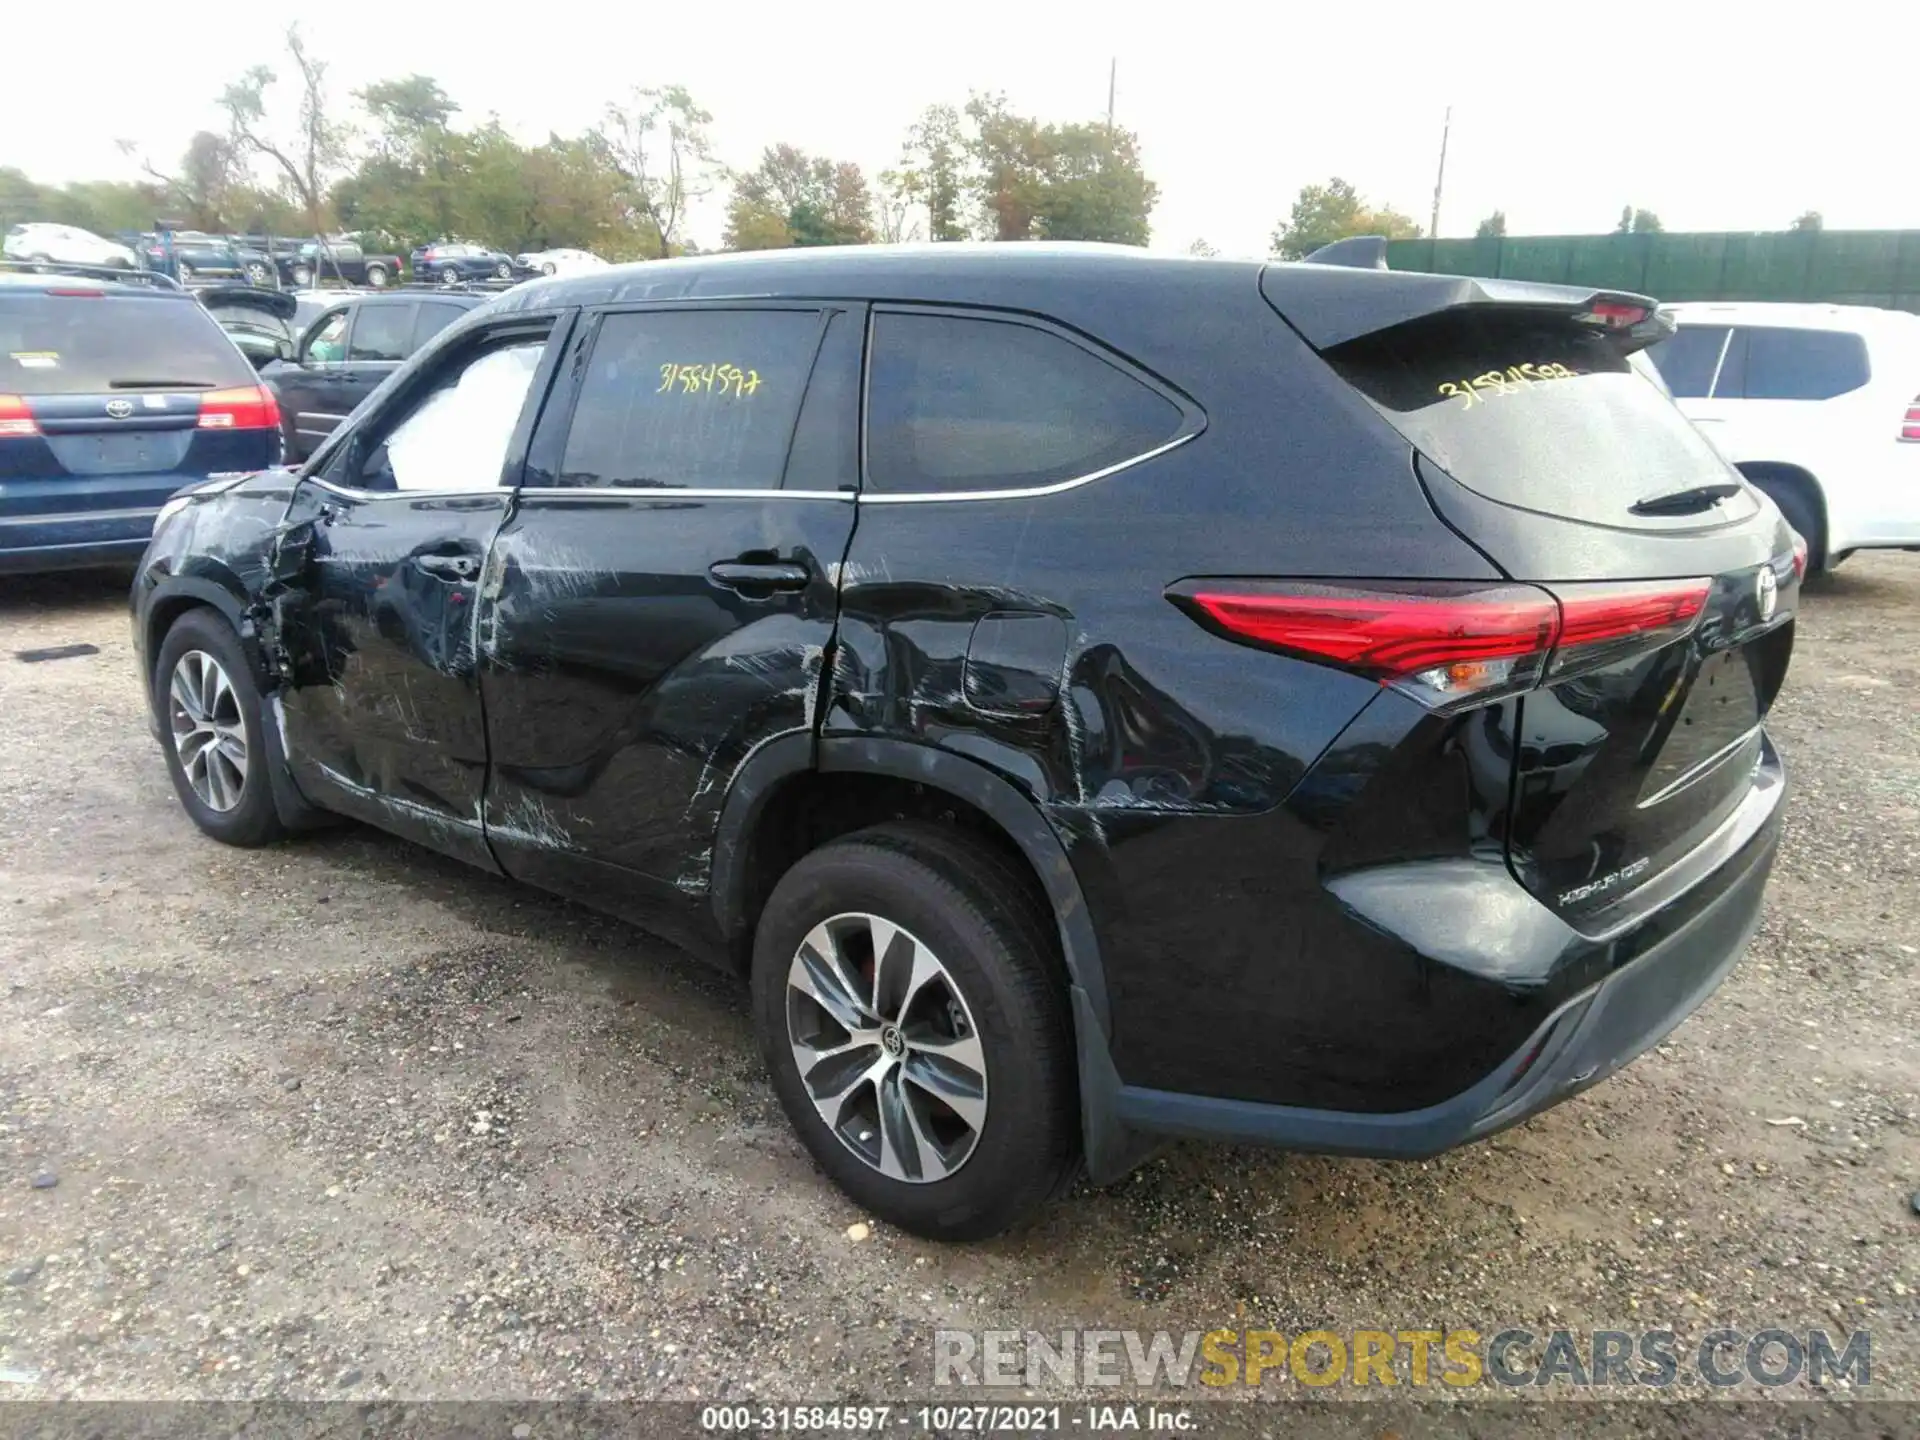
<point>690,400</point>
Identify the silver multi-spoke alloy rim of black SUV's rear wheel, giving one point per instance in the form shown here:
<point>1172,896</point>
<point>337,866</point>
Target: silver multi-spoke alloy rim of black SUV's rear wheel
<point>886,1047</point>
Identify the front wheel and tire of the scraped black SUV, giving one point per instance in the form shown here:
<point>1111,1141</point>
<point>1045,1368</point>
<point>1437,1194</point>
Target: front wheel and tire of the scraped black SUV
<point>233,706</point>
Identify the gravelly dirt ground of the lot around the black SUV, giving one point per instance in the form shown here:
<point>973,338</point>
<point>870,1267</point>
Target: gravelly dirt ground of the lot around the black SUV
<point>343,1118</point>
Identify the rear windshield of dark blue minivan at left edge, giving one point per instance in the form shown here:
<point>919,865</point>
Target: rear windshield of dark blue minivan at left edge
<point>91,345</point>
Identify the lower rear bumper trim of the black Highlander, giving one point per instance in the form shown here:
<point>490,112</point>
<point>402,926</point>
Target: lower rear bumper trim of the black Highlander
<point>1579,1045</point>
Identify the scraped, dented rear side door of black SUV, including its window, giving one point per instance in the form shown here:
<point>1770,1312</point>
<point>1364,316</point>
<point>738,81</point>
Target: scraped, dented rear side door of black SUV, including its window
<point>661,600</point>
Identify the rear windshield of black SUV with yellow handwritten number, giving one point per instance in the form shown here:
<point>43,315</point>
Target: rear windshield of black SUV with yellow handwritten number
<point>1533,412</point>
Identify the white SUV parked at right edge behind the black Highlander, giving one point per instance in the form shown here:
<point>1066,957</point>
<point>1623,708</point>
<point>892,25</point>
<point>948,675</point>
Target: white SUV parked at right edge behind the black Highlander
<point>1819,406</point>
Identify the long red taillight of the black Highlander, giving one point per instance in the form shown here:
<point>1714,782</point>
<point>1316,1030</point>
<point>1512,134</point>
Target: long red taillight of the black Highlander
<point>1451,644</point>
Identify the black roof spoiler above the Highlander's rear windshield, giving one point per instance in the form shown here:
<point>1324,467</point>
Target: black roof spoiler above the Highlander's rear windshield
<point>1339,293</point>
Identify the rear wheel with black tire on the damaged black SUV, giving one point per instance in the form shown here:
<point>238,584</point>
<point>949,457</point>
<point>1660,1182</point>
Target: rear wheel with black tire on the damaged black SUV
<point>961,907</point>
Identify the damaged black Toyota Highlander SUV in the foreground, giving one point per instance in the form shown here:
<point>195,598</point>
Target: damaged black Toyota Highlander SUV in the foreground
<point>1093,698</point>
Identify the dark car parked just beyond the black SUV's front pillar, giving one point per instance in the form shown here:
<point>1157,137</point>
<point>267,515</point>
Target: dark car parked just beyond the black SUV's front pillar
<point>347,352</point>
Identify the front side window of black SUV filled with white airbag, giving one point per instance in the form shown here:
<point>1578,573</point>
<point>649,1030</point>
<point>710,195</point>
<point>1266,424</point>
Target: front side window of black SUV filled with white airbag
<point>456,437</point>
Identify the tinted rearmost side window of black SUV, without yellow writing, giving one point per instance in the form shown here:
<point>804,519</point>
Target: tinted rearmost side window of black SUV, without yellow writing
<point>961,404</point>
